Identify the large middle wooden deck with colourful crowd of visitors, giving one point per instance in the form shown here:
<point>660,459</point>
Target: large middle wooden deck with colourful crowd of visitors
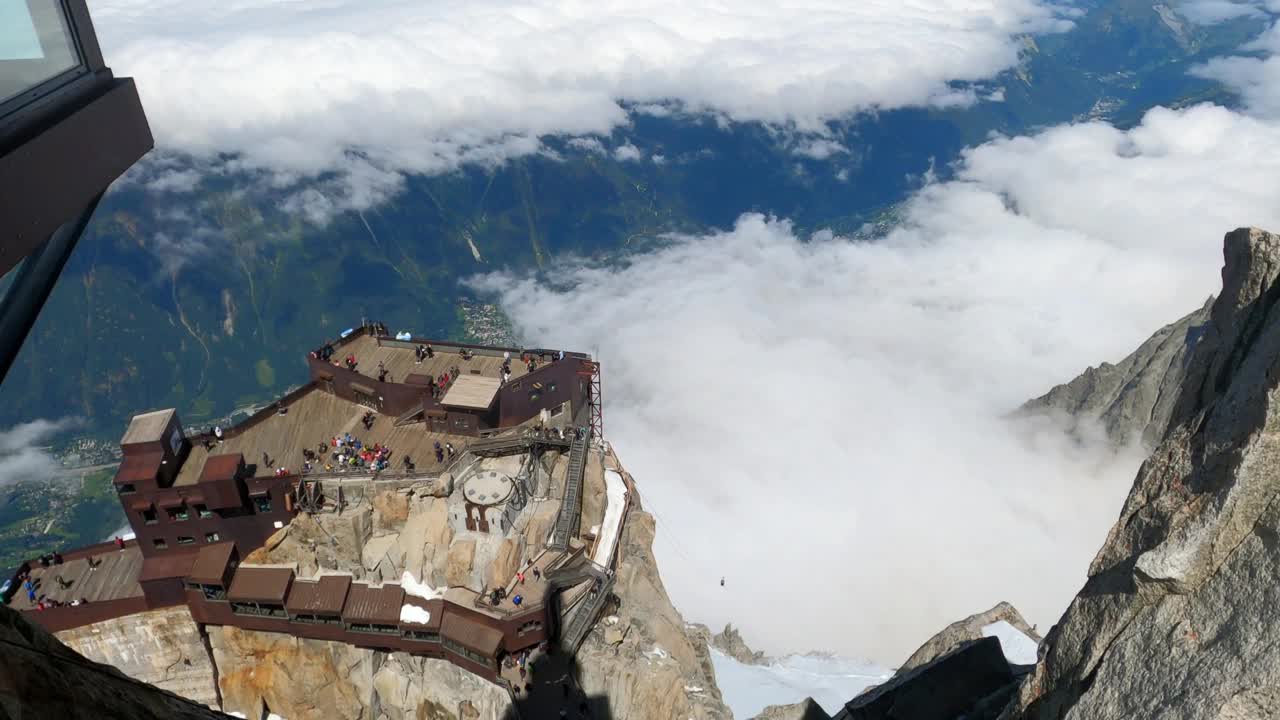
<point>316,418</point>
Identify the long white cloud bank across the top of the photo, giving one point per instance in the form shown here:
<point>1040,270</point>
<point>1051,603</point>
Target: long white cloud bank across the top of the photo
<point>378,89</point>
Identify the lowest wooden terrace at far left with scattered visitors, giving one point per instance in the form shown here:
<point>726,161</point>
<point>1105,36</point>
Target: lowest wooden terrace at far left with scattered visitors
<point>116,578</point>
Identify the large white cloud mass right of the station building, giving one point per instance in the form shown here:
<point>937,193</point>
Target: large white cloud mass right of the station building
<point>819,420</point>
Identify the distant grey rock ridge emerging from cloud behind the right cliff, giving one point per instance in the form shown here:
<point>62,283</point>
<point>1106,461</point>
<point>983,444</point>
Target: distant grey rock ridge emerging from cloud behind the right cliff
<point>1132,400</point>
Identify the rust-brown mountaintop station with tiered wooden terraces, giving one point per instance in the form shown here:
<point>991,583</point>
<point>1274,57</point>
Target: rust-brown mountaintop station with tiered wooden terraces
<point>200,503</point>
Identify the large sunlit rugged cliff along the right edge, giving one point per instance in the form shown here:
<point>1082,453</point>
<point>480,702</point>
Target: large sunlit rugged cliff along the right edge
<point>1178,617</point>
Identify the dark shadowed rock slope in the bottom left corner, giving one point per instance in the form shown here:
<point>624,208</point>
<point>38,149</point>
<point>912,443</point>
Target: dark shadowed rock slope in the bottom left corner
<point>44,678</point>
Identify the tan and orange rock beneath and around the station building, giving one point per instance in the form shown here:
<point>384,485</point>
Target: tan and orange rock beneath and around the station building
<point>639,660</point>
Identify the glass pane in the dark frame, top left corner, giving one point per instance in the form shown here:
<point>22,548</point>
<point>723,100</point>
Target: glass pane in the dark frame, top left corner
<point>35,45</point>
